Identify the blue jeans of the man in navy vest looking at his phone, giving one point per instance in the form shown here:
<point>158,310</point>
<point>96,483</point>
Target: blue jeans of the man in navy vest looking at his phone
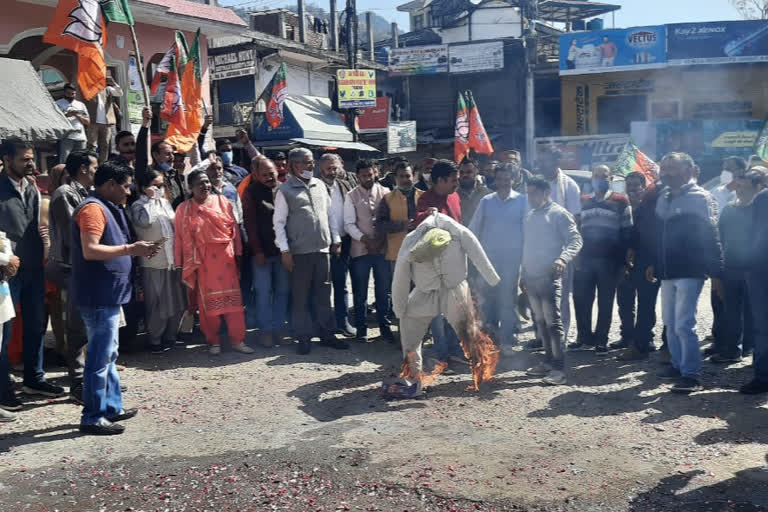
<point>101,384</point>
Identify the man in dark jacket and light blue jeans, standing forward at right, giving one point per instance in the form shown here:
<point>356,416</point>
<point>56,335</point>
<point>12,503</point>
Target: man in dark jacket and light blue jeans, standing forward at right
<point>688,251</point>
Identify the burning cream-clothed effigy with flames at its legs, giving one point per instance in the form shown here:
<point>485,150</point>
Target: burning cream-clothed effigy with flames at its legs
<point>433,259</point>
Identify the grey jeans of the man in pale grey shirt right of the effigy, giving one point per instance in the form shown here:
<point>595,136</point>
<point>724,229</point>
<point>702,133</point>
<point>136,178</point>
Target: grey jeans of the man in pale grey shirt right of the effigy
<point>545,297</point>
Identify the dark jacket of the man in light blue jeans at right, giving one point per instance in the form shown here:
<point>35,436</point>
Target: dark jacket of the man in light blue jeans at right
<point>688,244</point>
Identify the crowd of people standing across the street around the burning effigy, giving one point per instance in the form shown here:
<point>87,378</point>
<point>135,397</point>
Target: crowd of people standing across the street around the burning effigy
<point>272,245</point>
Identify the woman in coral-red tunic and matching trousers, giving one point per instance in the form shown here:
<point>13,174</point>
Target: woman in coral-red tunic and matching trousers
<point>207,248</point>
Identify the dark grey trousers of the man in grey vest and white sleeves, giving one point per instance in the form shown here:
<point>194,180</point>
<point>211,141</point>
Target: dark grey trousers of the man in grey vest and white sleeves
<point>311,296</point>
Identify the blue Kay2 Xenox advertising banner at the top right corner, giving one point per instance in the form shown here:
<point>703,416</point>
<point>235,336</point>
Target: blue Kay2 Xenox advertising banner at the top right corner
<point>719,42</point>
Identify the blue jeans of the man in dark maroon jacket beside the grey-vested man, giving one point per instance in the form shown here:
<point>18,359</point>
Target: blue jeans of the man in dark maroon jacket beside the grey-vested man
<point>272,287</point>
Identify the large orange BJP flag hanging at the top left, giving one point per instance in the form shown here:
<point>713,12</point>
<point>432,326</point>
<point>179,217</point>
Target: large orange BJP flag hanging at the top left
<point>78,25</point>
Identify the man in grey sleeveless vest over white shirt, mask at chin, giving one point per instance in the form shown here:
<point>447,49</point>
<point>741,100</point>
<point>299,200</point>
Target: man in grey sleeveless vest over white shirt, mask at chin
<point>306,235</point>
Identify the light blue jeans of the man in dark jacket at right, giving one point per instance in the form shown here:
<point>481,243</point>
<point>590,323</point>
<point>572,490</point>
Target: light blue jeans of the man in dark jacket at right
<point>679,298</point>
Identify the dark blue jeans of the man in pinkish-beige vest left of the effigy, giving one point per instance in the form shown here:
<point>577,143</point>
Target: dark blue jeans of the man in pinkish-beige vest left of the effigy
<point>360,269</point>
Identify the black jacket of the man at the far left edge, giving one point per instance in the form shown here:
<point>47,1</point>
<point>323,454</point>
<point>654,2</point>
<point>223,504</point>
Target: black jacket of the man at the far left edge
<point>19,221</point>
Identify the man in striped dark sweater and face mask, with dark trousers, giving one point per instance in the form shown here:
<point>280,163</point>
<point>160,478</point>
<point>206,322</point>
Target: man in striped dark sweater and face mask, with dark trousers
<point>606,227</point>
